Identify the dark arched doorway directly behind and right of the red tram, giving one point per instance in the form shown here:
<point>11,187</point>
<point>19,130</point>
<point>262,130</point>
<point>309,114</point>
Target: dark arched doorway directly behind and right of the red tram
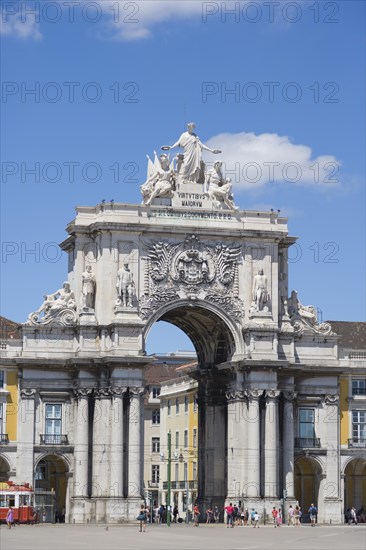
<point>51,485</point>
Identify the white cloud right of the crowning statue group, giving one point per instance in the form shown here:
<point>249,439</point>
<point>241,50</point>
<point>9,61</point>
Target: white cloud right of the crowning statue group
<point>255,160</point>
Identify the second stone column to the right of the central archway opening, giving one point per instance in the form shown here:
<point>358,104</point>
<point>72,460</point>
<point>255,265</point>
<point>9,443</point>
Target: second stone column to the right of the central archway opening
<point>253,449</point>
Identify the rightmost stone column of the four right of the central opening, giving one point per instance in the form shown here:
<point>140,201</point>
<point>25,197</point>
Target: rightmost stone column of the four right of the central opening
<point>288,445</point>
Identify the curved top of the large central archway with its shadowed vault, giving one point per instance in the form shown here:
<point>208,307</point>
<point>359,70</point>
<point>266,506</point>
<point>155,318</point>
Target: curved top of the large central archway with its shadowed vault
<point>214,334</point>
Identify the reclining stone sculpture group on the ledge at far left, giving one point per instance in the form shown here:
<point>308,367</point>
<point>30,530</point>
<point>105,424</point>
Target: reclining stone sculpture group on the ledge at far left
<point>57,308</point>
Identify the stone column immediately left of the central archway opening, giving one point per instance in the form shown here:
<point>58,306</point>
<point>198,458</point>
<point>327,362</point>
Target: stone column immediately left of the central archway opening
<point>135,443</point>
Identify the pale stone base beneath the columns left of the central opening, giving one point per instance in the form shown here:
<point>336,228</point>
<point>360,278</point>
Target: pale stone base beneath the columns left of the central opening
<point>104,510</point>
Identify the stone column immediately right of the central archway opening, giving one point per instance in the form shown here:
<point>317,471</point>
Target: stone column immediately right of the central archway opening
<point>235,444</point>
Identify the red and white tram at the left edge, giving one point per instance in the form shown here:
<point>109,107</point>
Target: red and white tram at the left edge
<point>20,498</point>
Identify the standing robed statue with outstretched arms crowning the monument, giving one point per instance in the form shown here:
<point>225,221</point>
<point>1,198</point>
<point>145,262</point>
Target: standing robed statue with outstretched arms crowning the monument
<point>192,167</point>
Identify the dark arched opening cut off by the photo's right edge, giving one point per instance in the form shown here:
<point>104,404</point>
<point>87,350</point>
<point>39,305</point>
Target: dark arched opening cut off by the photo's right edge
<point>354,483</point>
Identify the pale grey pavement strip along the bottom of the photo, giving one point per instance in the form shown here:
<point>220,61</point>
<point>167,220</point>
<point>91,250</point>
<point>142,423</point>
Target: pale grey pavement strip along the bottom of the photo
<point>161,537</point>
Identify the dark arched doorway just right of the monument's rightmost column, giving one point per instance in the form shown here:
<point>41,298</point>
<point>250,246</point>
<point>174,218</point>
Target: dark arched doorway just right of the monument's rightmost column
<point>309,472</point>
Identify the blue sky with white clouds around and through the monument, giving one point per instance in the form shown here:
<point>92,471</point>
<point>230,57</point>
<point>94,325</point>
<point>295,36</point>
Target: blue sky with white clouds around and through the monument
<point>112,90</point>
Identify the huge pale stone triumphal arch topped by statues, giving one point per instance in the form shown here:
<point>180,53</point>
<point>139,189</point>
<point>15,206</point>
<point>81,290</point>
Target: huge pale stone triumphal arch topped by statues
<point>186,255</point>
